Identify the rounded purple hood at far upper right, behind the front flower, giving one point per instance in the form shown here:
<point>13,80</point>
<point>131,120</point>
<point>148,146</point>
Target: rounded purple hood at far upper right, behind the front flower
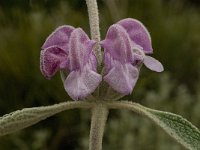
<point>137,33</point>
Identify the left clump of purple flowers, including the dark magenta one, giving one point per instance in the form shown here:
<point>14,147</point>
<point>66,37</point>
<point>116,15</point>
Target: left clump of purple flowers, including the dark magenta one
<point>70,49</point>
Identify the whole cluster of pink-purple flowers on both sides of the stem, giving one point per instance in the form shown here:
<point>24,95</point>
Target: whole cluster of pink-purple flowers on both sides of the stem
<point>71,50</point>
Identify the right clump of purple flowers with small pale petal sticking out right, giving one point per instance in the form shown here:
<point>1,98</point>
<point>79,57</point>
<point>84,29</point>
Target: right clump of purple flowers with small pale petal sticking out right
<point>125,47</point>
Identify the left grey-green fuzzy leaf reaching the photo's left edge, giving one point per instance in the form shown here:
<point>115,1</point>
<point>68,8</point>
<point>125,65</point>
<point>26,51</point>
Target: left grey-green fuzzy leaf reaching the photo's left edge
<point>28,116</point>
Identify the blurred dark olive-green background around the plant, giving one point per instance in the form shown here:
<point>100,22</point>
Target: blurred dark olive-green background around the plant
<point>175,29</point>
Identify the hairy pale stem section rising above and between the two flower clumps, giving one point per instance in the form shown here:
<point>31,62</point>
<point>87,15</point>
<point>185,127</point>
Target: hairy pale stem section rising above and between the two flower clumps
<point>94,26</point>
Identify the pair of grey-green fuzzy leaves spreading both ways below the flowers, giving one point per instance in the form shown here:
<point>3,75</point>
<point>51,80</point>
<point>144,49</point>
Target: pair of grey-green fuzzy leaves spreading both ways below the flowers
<point>177,127</point>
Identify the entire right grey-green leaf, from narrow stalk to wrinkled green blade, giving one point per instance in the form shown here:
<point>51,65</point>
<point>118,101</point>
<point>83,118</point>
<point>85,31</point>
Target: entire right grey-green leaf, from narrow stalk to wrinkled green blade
<point>176,126</point>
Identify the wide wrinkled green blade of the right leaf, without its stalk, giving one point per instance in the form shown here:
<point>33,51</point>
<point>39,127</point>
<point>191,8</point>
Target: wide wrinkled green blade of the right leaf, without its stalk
<point>177,127</point>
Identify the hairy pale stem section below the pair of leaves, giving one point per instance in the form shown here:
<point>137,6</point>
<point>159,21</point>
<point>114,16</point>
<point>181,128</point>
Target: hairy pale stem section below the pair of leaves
<point>98,121</point>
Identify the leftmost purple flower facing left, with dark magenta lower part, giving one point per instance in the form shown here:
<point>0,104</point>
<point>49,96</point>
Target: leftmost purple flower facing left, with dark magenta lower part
<point>55,51</point>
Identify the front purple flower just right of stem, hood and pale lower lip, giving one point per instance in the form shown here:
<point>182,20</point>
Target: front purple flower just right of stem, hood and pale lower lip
<point>118,57</point>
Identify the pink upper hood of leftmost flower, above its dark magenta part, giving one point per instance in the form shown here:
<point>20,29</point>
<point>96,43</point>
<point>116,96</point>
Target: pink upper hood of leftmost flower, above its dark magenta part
<point>59,38</point>
